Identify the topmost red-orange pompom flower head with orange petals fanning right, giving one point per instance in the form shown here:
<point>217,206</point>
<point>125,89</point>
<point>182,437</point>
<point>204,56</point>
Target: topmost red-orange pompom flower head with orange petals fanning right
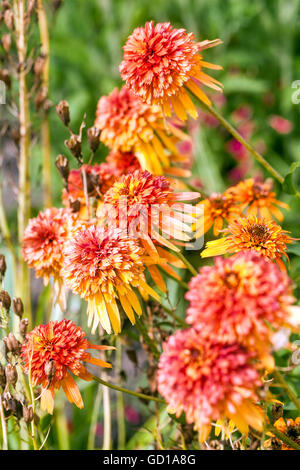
<point>161,64</point>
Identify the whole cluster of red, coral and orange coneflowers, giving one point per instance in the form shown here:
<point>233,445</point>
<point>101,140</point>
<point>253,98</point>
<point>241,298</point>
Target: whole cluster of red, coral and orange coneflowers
<point>212,369</point>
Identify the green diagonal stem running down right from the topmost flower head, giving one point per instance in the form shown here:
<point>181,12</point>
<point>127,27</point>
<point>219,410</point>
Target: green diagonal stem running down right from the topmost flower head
<point>240,138</point>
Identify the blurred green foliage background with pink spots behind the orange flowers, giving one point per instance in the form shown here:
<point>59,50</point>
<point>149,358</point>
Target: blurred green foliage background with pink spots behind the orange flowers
<point>260,56</point>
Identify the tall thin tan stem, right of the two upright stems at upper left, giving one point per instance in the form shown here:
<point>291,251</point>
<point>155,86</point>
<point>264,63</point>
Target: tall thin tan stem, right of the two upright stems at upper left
<point>45,49</point>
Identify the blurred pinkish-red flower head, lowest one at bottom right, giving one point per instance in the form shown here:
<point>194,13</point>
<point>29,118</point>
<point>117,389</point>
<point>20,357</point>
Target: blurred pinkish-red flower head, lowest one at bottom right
<point>208,380</point>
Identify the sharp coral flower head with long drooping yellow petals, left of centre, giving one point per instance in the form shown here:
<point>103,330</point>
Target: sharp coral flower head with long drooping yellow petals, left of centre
<point>103,266</point>
